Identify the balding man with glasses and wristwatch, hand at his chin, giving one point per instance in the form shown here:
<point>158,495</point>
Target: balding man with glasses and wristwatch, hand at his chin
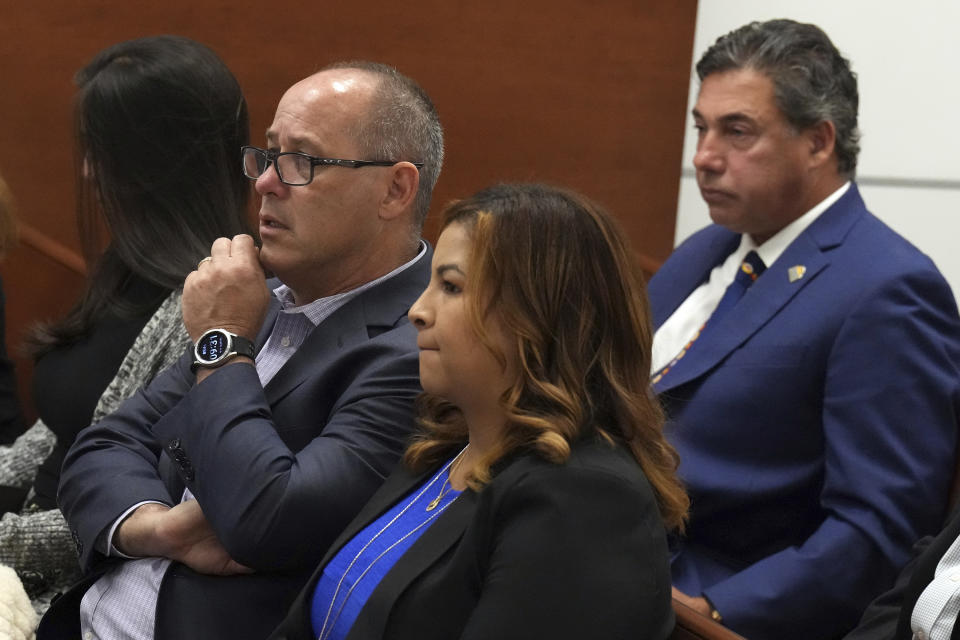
<point>198,507</point>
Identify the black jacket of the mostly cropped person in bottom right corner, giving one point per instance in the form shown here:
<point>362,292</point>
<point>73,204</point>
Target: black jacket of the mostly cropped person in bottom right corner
<point>888,617</point>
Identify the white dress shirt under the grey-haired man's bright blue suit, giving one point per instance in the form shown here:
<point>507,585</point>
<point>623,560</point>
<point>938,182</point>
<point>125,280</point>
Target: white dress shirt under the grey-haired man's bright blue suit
<point>682,325</point>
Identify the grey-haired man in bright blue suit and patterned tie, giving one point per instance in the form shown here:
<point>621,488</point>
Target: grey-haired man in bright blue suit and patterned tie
<point>806,354</point>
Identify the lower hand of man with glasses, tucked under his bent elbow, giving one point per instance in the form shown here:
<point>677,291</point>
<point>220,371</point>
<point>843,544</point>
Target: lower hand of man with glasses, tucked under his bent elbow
<point>181,533</point>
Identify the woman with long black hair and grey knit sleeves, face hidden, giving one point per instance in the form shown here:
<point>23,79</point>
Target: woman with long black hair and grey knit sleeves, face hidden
<point>159,126</point>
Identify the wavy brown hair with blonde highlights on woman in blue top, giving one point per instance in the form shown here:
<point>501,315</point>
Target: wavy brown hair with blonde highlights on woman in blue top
<point>556,271</point>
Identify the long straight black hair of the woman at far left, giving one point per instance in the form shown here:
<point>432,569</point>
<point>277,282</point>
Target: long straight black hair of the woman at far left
<point>159,123</point>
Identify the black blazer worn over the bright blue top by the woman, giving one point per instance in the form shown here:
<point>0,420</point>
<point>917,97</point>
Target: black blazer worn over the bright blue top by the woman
<point>576,551</point>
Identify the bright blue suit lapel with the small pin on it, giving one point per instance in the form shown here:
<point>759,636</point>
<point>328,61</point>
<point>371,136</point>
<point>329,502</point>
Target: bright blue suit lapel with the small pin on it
<point>770,293</point>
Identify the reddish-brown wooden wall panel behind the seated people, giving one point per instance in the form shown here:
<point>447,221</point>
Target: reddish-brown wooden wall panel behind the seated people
<point>586,93</point>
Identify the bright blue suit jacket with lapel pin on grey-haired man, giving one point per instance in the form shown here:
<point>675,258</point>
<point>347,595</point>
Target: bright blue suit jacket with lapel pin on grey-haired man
<point>816,423</point>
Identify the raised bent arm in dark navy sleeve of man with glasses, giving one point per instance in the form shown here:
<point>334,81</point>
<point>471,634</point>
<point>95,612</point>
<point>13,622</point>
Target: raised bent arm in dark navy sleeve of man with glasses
<point>274,508</point>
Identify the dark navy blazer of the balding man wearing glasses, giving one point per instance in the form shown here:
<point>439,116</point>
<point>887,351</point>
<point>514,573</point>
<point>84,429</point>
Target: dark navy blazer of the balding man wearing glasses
<point>279,470</point>
